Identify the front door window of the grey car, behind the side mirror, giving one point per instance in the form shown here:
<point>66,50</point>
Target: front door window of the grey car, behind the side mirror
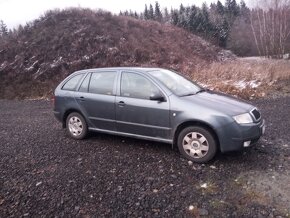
<point>137,86</point>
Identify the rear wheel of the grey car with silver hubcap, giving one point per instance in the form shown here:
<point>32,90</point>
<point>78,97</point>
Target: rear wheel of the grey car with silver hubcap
<point>76,126</point>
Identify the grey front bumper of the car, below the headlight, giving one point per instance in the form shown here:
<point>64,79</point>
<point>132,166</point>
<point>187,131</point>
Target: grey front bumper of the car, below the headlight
<point>235,137</point>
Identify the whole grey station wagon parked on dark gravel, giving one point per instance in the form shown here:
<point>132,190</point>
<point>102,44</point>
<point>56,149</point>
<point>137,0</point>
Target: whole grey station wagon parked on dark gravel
<point>158,105</point>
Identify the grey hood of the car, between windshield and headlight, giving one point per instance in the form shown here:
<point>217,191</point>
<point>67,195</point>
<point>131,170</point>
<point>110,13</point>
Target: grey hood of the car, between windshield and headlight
<point>220,103</point>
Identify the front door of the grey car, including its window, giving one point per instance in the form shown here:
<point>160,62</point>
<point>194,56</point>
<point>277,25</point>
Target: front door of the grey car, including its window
<point>136,113</point>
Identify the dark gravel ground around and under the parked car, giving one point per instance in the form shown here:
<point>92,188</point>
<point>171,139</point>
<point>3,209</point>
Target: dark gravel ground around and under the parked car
<point>44,173</point>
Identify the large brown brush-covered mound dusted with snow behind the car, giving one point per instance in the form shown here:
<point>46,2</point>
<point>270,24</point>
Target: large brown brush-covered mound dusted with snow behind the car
<point>33,59</point>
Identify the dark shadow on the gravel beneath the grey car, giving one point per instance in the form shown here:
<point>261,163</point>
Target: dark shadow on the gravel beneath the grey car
<point>244,157</point>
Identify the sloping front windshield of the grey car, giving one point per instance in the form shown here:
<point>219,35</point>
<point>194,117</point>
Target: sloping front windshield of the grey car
<point>175,83</point>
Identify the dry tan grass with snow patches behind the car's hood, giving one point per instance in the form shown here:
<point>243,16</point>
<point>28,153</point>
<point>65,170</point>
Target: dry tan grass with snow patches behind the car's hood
<point>244,77</point>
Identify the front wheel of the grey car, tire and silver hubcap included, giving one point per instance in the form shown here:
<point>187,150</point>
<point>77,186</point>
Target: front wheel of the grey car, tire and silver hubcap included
<point>197,144</point>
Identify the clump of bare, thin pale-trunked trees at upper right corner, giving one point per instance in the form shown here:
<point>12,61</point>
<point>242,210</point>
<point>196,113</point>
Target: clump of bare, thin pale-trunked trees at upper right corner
<point>271,27</point>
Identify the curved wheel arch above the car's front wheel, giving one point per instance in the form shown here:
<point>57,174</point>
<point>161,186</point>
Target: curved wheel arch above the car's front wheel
<point>198,123</point>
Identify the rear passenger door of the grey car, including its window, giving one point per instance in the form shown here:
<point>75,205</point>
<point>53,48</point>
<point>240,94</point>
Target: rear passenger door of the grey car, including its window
<point>96,97</point>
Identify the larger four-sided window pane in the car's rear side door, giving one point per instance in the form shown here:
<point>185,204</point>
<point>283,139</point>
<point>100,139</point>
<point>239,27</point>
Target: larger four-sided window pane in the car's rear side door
<point>102,83</point>
